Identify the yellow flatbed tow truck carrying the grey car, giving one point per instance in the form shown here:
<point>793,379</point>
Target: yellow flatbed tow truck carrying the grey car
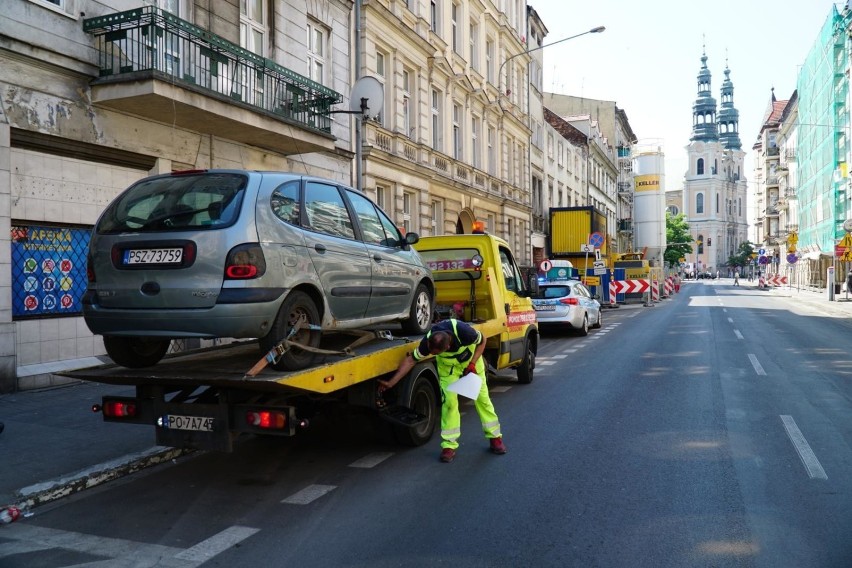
<point>206,399</point>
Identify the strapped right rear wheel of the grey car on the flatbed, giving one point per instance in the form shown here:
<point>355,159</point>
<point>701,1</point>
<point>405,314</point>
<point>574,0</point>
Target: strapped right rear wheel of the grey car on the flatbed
<point>296,306</point>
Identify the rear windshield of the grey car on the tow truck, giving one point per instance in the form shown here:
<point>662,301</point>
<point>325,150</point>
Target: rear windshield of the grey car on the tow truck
<point>178,202</point>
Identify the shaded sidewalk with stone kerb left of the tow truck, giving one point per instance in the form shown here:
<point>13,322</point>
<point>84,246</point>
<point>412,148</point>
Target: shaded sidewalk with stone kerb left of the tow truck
<point>54,445</point>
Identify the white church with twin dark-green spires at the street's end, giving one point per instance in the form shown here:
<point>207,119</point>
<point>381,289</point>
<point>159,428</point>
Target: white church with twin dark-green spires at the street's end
<point>714,190</point>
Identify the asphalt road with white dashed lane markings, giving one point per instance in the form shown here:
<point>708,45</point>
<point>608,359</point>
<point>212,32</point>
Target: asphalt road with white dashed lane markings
<point>714,429</point>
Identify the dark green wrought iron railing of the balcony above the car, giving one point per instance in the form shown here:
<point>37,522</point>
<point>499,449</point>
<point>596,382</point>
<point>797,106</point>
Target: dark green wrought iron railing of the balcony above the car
<point>149,42</point>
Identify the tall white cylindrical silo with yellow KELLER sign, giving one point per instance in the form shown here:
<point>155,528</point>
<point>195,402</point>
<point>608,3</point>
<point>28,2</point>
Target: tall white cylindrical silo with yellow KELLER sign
<point>649,199</point>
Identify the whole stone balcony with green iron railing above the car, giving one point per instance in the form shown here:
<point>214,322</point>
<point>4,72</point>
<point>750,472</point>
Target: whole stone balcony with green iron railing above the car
<point>155,65</point>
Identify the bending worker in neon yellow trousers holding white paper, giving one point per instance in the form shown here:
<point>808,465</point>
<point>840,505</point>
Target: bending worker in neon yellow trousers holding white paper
<point>457,348</point>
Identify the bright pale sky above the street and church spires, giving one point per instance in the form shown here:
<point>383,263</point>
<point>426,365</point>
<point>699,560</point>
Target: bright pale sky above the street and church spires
<point>649,56</point>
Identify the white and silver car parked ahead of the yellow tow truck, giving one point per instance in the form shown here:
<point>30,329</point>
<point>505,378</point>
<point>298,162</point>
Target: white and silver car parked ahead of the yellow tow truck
<point>567,304</point>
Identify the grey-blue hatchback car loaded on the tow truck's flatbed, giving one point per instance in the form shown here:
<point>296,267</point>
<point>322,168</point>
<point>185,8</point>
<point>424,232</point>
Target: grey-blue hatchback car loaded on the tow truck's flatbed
<point>247,254</point>
